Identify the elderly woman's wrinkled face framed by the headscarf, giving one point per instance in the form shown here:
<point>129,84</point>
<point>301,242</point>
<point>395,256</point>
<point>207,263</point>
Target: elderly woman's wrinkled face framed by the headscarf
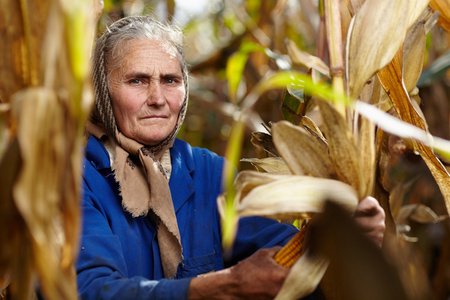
<point>147,91</point>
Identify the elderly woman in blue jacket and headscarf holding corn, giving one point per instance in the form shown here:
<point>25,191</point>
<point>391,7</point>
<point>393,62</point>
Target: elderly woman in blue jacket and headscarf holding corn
<point>150,221</point>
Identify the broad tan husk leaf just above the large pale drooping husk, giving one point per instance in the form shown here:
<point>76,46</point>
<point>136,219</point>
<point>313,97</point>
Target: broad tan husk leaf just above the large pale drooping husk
<point>302,152</point>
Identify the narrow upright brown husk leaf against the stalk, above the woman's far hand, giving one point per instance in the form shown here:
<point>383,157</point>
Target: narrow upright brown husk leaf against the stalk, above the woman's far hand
<point>343,150</point>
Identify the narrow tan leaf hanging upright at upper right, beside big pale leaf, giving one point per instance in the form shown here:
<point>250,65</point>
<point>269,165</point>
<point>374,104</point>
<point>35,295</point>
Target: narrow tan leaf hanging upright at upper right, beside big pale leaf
<point>413,55</point>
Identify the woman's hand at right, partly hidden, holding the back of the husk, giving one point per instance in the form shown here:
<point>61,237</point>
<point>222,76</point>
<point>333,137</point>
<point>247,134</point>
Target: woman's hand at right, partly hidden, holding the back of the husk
<point>370,217</point>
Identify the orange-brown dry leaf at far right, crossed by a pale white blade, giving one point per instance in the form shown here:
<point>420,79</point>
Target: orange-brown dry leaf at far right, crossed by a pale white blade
<point>391,80</point>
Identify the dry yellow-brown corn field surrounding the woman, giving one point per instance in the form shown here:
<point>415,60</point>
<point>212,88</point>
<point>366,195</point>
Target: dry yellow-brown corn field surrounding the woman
<point>317,103</point>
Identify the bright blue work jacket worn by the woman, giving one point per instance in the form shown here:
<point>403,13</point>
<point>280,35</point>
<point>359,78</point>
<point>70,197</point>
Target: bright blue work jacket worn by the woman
<point>119,255</point>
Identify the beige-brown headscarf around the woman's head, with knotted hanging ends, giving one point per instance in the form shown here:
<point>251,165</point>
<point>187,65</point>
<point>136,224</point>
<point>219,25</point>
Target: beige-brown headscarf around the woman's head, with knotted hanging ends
<point>143,183</point>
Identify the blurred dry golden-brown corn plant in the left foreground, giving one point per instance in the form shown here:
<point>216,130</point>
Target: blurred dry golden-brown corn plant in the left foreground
<point>45,98</point>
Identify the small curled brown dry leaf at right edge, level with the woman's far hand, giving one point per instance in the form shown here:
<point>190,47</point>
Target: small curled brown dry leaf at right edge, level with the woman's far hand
<point>419,213</point>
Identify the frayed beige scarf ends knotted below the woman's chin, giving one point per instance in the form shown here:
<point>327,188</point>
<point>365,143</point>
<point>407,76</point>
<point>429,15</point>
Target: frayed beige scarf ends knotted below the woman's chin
<point>145,190</point>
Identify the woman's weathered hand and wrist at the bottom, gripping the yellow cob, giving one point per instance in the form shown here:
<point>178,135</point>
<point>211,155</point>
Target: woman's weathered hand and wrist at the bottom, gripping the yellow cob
<point>257,277</point>
